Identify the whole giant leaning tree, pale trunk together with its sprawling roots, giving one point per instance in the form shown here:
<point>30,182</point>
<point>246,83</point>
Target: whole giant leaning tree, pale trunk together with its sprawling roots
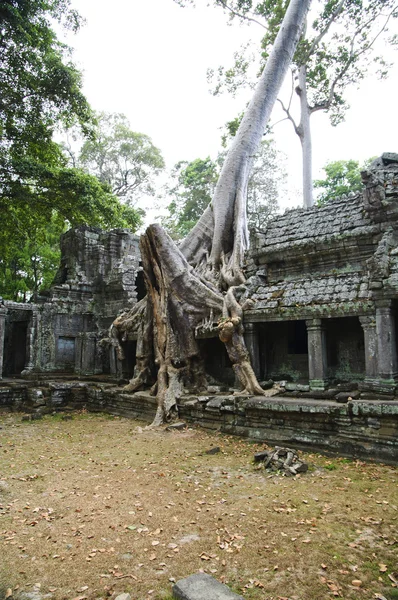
<point>200,283</point>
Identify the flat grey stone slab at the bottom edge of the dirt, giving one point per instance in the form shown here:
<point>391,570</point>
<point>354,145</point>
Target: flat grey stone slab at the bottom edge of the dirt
<point>202,587</point>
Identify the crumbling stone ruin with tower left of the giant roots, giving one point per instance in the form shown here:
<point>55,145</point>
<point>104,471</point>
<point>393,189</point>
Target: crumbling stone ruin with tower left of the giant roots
<point>98,276</point>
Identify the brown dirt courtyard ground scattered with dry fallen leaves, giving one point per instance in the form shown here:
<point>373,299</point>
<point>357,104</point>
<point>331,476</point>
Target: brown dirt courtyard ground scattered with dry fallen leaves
<point>95,506</point>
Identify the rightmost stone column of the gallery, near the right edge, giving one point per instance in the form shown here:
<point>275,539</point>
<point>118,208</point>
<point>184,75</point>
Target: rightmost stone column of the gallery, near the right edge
<point>386,345</point>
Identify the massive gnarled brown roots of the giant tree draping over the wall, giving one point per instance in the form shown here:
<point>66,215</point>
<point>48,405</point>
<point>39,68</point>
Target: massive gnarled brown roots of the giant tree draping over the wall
<point>178,303</point>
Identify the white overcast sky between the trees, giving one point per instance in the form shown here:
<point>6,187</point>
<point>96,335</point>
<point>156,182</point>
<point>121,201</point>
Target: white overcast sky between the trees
<point>148,60</point>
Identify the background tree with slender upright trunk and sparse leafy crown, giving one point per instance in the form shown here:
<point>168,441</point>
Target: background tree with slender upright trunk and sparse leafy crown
<point>338,48</point>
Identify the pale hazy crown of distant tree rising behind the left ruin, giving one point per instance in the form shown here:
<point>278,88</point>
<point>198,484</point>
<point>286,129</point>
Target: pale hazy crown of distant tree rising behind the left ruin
<point>124,160</point>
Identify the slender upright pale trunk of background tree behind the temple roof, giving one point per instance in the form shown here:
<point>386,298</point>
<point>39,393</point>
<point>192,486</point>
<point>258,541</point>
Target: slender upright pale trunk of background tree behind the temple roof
<point>304,133</point>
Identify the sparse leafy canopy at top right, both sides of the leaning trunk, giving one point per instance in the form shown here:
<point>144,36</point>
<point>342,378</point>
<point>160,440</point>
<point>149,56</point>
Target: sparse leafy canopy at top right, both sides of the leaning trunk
<point>335,49</point>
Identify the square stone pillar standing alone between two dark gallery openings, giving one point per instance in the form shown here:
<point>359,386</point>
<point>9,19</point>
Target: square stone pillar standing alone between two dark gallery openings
<point>317,362</point>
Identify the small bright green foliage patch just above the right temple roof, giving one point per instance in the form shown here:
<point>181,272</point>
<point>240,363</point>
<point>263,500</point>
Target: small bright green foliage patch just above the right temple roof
<point>342,177</point>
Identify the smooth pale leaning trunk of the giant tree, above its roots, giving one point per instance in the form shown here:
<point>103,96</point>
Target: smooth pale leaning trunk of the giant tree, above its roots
<point>225,236</point>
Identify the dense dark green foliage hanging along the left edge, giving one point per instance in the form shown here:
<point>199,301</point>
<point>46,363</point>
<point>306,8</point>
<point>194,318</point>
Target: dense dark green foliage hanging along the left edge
<point>40,196</point>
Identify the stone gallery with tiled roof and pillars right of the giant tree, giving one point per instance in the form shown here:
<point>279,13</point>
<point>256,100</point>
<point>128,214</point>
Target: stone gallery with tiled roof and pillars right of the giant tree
<point>325,283</point>
